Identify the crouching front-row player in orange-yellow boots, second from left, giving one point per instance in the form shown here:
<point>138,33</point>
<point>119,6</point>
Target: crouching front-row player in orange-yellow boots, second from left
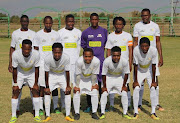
<point>57,66</point>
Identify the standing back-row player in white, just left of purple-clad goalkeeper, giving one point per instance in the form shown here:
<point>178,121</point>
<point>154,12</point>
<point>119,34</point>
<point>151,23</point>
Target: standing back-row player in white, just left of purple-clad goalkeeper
<point>70,37</point>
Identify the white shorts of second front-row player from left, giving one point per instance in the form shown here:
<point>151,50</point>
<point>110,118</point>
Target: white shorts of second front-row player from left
<point>57,81</point>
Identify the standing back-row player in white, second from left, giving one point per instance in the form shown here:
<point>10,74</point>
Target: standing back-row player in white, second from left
<point>43,42</point>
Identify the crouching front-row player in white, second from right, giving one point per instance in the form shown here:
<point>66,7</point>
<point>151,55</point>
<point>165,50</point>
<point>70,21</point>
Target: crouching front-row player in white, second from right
<point>115,74</point>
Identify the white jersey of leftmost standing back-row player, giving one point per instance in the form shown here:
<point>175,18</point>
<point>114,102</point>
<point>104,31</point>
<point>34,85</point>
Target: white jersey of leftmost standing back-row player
<point>18,36</point>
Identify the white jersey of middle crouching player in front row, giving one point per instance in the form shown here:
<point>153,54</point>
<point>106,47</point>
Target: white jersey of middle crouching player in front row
<point>86,70</point>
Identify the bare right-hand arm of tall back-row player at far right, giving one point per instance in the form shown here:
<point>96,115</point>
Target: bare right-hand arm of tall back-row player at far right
<point>159,48</point>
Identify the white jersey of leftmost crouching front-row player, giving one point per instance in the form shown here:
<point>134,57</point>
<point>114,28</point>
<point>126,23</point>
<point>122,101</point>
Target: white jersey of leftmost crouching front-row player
<point>25,65</point>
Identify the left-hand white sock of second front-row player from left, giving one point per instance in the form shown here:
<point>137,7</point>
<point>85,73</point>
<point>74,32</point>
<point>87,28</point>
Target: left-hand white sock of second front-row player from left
<point>47,102</point>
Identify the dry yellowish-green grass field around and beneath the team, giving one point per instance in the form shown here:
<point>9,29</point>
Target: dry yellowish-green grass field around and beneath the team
<point>168,82</point>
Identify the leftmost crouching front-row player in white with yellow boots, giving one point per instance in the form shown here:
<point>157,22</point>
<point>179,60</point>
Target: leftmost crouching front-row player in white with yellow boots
<point>25,63</point>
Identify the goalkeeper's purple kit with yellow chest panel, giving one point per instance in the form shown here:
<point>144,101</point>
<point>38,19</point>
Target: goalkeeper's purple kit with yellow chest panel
<point>96,40</point>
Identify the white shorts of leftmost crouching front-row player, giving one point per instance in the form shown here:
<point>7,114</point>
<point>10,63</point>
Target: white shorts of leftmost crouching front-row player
<point>28,79</point>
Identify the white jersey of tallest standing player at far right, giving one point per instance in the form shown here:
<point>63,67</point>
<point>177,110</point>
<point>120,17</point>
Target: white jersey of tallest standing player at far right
<point>150,31</point>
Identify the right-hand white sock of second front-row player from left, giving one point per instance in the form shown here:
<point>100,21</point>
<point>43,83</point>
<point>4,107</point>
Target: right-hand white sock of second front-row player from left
<point>68,104</point>
